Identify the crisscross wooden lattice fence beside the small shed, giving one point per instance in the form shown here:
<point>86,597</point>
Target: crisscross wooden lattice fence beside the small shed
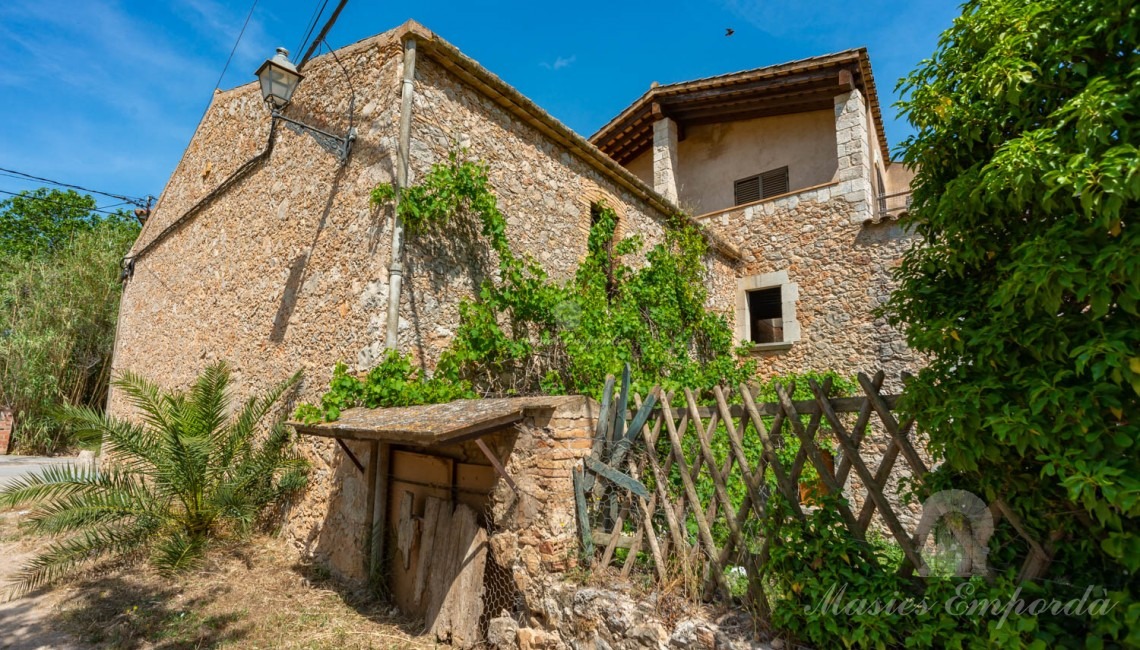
<point>674,484</point>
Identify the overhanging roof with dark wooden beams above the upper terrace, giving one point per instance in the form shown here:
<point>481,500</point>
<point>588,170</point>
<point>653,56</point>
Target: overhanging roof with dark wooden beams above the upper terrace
<point>805,85</point>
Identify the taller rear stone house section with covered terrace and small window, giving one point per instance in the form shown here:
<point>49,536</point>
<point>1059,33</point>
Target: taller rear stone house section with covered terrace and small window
<point>789,164</point>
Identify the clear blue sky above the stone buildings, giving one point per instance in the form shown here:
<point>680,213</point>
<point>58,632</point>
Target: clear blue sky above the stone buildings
<point>107,94</point>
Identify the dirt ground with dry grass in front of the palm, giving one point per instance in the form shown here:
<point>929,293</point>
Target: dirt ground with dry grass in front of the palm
<point>258,596</point>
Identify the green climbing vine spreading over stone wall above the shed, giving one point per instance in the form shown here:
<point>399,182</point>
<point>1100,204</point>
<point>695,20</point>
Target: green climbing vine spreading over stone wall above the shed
<point>525,334</point>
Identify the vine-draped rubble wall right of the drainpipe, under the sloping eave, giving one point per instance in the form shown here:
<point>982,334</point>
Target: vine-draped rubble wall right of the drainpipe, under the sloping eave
<point>544,192</point>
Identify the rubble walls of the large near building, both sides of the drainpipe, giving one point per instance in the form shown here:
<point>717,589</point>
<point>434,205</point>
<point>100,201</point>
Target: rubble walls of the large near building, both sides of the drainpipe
<point>288,269</point>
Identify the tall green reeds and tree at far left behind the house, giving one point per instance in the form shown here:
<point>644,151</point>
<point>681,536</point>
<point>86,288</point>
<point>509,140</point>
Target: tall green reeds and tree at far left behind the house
<point>59,305</point>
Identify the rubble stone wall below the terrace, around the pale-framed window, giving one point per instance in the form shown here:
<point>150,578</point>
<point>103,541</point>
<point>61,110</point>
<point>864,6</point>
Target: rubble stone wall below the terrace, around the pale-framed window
<point>843,272</point>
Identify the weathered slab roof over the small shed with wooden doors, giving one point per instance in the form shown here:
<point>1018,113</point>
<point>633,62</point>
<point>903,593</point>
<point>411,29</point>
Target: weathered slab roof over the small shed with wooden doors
<point>433,424</point>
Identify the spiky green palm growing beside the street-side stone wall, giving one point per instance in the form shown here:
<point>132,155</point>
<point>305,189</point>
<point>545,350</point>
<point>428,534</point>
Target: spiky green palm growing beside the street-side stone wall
<point>188,473</point>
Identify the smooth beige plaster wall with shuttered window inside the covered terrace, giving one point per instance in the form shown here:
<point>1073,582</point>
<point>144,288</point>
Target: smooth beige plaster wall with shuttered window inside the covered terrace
<point>712,157</point>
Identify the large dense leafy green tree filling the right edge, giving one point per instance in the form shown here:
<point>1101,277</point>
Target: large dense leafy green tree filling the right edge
<point>1025,289</point>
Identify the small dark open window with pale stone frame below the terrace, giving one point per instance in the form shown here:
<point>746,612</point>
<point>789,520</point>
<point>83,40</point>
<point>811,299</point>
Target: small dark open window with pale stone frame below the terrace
<point>767,311</point>
